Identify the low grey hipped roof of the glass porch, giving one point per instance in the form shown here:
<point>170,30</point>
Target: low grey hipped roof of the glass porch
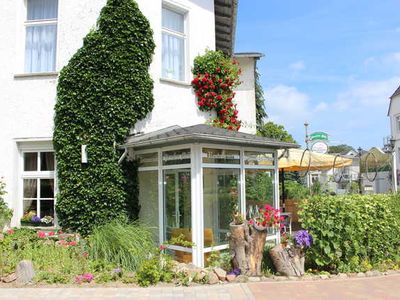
<point>202,133</point>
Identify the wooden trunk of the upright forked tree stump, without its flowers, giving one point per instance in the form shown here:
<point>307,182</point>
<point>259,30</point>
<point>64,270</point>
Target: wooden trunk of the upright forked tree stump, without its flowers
<point>247,246</point>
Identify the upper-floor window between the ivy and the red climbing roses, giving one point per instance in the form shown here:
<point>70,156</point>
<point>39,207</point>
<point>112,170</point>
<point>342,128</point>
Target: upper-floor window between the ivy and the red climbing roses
<point>173,44</point>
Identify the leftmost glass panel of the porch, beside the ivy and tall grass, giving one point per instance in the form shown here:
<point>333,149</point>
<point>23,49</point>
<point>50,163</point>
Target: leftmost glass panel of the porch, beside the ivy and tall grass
<point>148,200</point>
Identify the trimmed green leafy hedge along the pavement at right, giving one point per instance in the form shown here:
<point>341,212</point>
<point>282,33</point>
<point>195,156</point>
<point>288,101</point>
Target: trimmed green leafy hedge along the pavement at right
<point>352,232</point>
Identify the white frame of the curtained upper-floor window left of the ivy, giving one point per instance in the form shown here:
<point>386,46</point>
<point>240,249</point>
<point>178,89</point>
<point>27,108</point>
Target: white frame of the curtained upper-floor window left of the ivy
<point>33,23</point>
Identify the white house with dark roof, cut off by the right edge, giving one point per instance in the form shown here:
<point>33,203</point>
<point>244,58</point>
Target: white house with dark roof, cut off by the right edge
<point>394,116</point>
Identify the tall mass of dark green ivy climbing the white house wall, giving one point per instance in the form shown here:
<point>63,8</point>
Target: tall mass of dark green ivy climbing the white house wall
<point>101,93</point>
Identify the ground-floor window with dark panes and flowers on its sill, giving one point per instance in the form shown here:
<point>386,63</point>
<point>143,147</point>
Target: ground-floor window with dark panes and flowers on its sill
<point>38,184</point>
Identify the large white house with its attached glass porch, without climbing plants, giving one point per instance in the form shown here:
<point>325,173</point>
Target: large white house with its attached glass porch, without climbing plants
<point>38,39</point>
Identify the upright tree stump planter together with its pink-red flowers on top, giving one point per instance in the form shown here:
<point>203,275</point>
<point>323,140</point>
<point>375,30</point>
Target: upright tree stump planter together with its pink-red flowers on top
<point>247,240</point>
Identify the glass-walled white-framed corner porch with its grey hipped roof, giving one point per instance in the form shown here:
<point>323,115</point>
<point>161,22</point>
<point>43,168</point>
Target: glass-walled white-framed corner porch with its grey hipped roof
<point>192,179</point>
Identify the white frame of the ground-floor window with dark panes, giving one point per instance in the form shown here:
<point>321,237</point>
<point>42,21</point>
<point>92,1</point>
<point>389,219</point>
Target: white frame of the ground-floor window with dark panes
<point>34,147</point>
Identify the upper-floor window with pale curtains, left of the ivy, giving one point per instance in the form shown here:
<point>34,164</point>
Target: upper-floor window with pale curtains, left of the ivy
<point>41,36</point>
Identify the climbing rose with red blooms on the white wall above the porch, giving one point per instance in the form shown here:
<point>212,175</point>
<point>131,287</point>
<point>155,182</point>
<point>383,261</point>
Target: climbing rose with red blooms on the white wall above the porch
<point>215,77</point>
